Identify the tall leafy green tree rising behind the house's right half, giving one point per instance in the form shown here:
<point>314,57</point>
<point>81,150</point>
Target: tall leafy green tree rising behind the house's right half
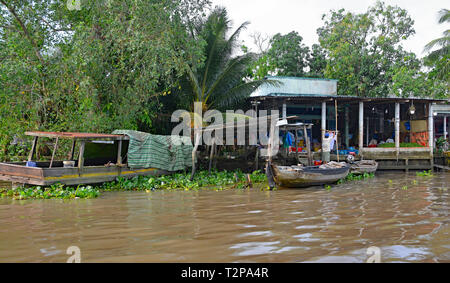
<point>364,48</point>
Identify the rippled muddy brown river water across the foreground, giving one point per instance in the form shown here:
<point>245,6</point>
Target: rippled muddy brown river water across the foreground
<point>405,216</point>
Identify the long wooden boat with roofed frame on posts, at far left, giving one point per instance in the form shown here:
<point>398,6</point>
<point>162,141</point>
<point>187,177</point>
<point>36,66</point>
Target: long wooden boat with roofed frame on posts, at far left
<point>105,164</point>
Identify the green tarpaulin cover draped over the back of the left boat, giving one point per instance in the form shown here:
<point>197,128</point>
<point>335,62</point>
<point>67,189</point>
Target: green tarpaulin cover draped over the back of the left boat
<point>170,153</point>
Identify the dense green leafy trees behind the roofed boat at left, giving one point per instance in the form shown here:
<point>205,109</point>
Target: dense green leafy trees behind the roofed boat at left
<point>99,68</point>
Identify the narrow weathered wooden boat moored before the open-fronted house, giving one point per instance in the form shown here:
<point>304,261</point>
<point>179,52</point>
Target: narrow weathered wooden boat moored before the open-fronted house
<point>305,176</point>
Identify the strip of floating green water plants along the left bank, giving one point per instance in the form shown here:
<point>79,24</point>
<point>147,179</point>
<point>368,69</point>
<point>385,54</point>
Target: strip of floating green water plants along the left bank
<point>216,180</point>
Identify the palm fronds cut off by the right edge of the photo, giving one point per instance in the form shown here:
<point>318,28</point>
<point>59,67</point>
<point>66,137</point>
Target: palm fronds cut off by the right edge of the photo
<point>440,56</point>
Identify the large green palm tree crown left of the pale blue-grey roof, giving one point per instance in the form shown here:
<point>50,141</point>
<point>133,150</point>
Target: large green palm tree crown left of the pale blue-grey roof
<point>219,83</point>
